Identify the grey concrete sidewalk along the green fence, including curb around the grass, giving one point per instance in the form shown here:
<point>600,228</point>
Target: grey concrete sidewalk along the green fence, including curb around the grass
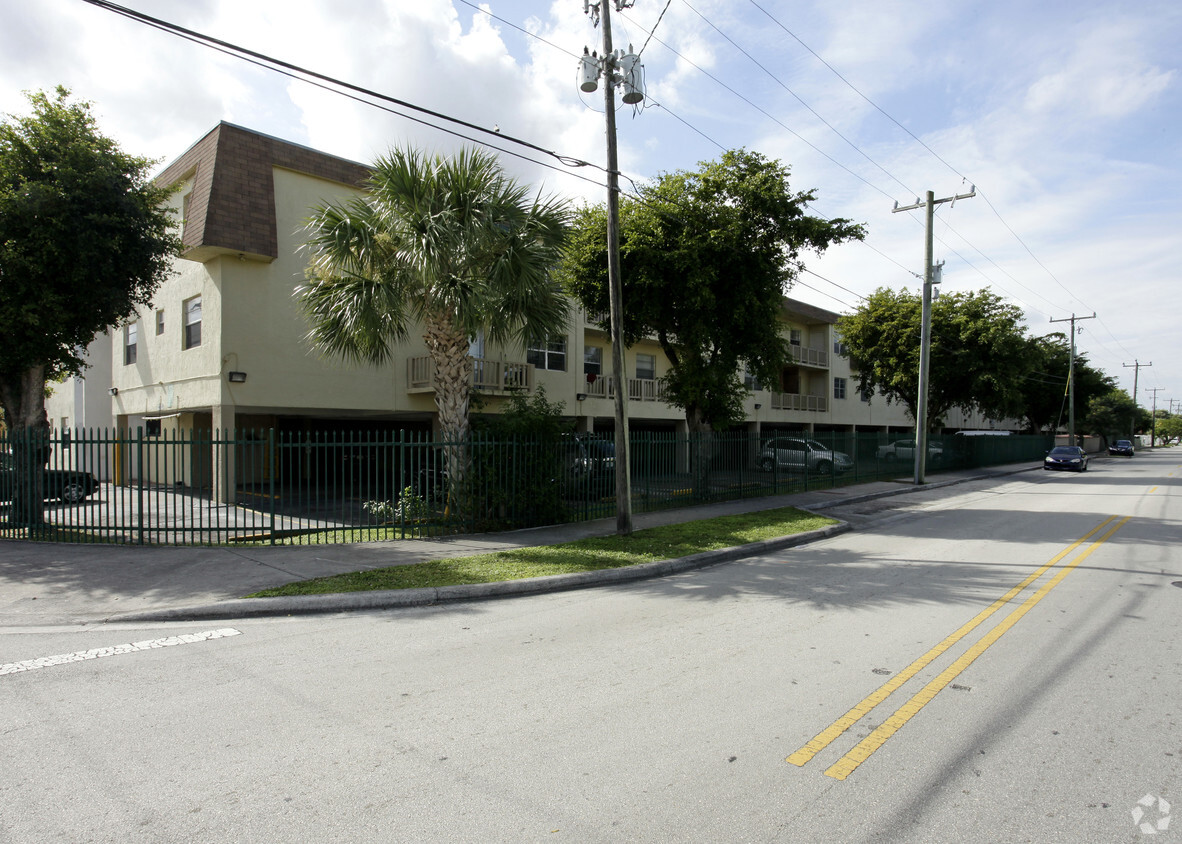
<point>55,585</point>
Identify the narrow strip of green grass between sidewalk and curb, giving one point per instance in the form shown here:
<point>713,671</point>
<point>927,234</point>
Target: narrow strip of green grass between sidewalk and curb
<point>584,555</point>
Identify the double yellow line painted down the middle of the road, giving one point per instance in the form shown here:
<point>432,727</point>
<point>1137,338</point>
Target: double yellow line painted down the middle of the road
<point>845,767</point>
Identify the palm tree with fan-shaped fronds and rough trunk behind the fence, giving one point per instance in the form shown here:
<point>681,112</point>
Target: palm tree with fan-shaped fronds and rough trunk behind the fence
<point>449,244</point>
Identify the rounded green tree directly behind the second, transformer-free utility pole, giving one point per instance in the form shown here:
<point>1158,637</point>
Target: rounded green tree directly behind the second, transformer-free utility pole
<point>978,359</point>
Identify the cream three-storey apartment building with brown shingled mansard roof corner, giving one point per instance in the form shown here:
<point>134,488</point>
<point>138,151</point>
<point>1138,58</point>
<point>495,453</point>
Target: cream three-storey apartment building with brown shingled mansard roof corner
<point>223,346</point>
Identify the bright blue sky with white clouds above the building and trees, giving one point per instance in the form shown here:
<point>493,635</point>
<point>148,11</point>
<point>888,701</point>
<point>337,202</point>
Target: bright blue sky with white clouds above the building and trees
<point>1066,116</point>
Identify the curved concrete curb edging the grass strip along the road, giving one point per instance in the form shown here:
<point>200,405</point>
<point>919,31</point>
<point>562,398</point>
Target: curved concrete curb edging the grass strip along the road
<point>382,600</point>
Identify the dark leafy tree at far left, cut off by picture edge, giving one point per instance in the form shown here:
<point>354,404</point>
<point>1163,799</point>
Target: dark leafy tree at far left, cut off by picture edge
<point>86,238</point>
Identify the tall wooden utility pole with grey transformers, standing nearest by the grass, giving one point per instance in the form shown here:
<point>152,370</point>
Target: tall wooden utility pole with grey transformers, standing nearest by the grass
<point>622,69</point>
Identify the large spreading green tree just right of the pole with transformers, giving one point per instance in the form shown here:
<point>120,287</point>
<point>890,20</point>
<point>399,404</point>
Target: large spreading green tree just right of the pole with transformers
<point>706,259</point>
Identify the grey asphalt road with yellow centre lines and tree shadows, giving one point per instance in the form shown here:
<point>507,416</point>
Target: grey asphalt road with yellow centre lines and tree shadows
<point>702,707</point>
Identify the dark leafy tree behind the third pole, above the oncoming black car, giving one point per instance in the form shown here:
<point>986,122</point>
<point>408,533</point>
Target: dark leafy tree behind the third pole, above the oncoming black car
<point>1045,385</point>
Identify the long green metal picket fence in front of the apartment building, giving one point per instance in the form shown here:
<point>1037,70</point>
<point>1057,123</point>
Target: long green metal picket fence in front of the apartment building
<point>304,488</point>
